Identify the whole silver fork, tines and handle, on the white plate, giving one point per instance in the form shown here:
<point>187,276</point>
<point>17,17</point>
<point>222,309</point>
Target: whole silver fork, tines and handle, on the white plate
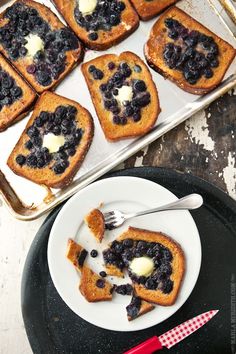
<point>116,218</point>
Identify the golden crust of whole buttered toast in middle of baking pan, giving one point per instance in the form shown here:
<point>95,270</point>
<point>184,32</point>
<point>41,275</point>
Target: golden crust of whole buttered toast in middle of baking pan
<point>149,113</point>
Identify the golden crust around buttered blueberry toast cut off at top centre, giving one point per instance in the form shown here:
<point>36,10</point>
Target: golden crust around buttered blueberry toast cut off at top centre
<point>106,39</point>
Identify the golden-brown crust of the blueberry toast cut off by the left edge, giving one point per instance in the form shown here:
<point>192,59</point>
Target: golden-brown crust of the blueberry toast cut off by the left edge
<point>19,109</point>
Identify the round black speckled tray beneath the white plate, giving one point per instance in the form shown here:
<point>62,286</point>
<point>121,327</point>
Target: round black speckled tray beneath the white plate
<point>53,328</point>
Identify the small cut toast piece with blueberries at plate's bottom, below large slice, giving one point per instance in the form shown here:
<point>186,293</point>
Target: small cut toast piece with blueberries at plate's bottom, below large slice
<point>137,308</point>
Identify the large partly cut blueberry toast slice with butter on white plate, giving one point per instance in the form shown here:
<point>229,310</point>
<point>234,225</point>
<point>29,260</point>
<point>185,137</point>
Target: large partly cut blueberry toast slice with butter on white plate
<point>162,282</point>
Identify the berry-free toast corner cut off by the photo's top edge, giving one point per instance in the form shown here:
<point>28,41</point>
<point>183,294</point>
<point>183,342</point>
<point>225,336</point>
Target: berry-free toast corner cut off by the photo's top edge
<point>149,9</point>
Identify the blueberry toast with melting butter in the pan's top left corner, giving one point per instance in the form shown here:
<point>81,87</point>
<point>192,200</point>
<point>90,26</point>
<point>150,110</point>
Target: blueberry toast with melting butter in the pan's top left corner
<point>38,44</point>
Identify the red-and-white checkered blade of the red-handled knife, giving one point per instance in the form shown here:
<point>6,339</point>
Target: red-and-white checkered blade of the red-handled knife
<point>183,330</point>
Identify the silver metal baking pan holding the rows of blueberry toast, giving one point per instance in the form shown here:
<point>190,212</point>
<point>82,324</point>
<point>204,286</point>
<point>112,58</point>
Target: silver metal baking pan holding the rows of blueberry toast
<point>27,201</point>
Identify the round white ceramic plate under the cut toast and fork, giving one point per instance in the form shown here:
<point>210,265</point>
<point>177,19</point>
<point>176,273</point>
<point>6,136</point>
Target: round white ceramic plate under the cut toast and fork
<point>127,194</point>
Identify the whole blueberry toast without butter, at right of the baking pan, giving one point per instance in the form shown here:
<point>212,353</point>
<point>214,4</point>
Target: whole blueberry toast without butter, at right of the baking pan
<point>186,52</point>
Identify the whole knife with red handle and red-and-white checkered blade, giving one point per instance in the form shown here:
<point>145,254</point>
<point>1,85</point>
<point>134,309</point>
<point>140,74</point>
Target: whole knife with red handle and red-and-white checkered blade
<point>173,336</point>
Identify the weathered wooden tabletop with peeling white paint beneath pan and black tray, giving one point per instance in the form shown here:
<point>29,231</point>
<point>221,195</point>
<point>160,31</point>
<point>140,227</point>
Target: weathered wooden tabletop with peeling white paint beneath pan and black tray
<point>204,145</point>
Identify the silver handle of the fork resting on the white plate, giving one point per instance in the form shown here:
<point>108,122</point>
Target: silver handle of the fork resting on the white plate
<point>191,201</point>
